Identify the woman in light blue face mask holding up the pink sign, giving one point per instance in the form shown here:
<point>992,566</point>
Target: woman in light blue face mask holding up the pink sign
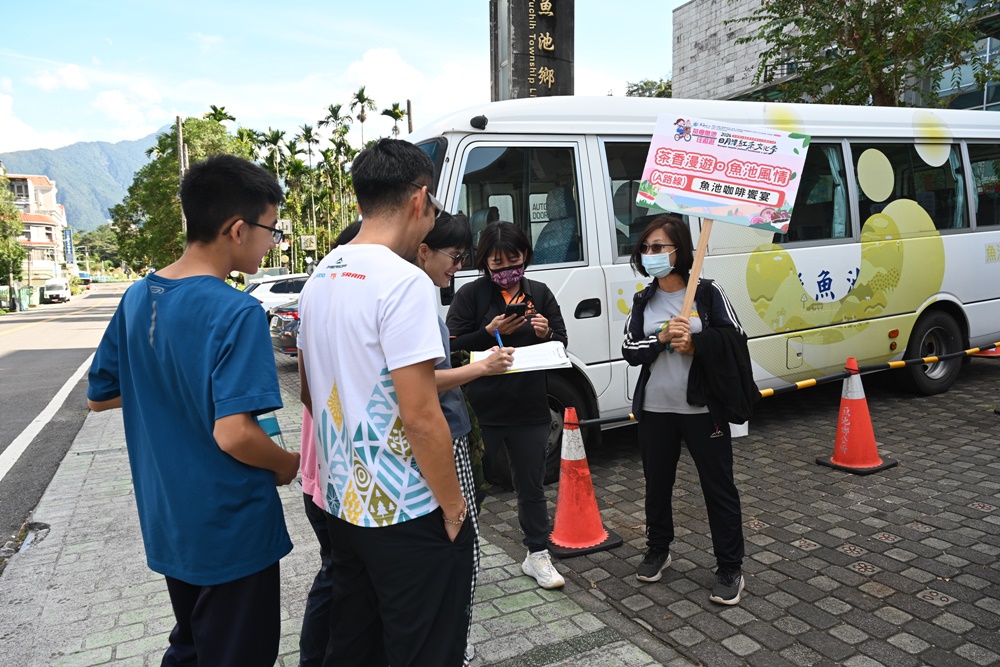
<point>695,366</point>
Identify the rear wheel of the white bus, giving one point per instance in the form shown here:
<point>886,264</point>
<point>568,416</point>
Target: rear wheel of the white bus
<point>936,333</point>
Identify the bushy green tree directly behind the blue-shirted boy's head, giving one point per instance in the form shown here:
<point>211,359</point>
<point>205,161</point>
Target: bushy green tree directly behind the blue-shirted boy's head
<point>147,224</point>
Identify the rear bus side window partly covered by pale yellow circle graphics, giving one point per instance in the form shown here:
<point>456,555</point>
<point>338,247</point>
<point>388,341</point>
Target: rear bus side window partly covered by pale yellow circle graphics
<point>935,181</point>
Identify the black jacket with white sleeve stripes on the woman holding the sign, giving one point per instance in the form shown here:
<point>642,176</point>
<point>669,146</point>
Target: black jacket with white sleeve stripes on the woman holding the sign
<point>721,375</point>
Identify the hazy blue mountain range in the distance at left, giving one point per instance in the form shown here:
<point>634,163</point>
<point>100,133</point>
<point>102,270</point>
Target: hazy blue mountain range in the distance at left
<point>90,177</point>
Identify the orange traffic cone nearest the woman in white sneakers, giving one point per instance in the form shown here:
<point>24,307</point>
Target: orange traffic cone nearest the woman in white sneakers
<point>577,529</point>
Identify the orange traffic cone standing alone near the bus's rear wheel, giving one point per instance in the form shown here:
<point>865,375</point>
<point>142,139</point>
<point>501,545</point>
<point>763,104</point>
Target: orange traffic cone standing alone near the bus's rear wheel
<point>855,449</point>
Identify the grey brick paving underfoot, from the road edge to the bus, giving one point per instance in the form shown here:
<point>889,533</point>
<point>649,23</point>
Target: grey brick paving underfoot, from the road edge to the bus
<point>898,568</point>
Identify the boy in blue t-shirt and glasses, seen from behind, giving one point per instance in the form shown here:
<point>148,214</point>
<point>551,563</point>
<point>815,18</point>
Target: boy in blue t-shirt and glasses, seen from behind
<point>189,360</point>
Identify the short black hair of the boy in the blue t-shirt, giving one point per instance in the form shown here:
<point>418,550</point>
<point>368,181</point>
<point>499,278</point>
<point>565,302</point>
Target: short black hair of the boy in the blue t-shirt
<point>221,187</point>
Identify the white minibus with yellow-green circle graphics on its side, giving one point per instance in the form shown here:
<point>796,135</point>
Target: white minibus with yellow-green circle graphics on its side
<point>899,258</point>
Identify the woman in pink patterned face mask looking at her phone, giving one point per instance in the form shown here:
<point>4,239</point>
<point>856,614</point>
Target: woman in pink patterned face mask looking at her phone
<point>513,410</point>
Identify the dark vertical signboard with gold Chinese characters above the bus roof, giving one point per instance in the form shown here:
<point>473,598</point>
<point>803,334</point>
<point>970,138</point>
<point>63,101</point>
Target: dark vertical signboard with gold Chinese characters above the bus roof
<point>531,48</point>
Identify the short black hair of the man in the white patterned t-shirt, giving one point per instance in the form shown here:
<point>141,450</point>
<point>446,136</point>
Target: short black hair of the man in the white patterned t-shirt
<point>385,174</point>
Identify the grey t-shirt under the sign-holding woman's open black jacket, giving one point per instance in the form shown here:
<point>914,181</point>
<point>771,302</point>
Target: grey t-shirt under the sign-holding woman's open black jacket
<point>666,390</point>
